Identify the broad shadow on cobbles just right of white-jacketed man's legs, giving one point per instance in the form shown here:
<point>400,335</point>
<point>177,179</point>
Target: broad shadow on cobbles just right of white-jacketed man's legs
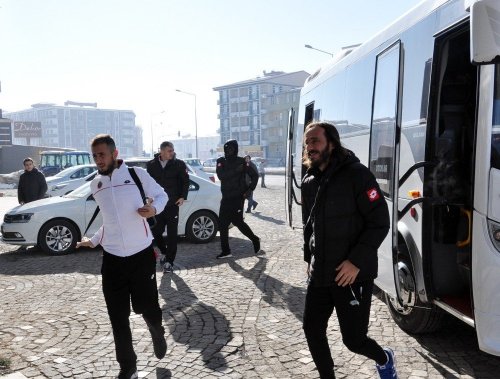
<point>196,324</point>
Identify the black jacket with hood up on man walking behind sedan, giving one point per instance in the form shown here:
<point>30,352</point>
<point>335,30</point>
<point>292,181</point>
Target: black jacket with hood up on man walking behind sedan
<point>232,172</point>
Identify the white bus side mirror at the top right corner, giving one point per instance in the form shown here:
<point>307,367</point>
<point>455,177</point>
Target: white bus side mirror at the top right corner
<point>485,32</point>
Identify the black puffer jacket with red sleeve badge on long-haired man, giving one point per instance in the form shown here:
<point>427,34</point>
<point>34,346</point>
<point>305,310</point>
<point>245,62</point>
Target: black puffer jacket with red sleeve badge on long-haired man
<point>346,217</point>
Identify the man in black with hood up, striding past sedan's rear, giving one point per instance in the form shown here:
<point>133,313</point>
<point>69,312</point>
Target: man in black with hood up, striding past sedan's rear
<point>232,172</point>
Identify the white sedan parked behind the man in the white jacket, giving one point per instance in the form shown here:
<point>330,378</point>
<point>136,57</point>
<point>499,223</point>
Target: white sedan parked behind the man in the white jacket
<point>55,224</point>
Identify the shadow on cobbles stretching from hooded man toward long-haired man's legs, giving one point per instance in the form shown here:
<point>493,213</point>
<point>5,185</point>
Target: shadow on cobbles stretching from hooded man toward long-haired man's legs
<point>275,292</point>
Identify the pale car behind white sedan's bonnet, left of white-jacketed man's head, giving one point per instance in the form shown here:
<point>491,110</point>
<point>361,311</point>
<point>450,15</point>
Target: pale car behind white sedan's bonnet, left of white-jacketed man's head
<point>58,184</point>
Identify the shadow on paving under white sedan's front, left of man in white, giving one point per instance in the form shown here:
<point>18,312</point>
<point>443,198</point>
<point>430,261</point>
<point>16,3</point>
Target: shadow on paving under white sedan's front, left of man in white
<point>33,261</point>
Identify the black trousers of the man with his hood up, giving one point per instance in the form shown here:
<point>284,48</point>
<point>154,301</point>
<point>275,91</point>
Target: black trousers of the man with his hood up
<point>231,211</point>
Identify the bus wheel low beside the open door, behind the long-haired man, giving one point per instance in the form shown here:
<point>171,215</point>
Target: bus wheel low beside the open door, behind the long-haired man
<point>412,316</point>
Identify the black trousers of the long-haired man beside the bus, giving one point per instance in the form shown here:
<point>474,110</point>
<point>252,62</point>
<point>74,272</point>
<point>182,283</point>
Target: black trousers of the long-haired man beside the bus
<point>353,321</point>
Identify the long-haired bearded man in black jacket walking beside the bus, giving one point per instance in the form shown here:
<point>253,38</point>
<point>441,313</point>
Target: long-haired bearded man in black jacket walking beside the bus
<point>345,219</point>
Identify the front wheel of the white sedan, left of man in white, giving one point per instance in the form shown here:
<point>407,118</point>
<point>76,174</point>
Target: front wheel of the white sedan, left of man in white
<point>58,237</point>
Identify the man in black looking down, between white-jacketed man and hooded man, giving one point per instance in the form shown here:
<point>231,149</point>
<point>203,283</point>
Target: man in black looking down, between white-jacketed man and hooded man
<point>170,173</point>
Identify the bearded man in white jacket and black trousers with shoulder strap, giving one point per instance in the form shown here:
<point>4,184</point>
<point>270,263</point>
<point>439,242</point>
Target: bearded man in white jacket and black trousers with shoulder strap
<point>128,264</point>
